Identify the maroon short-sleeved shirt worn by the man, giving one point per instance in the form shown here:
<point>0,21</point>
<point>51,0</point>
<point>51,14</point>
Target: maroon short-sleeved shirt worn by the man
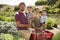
<point>22,18</point>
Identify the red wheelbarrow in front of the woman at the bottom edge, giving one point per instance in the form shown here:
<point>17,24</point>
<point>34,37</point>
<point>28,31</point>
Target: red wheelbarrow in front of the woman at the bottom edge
<point>46,35</point>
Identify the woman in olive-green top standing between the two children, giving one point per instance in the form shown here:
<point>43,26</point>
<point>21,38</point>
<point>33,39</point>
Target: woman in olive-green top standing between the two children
<point>36,19</point>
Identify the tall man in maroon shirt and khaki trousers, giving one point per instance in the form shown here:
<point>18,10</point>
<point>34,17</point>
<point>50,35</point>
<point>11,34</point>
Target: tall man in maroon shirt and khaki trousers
<point>21,21</point>
